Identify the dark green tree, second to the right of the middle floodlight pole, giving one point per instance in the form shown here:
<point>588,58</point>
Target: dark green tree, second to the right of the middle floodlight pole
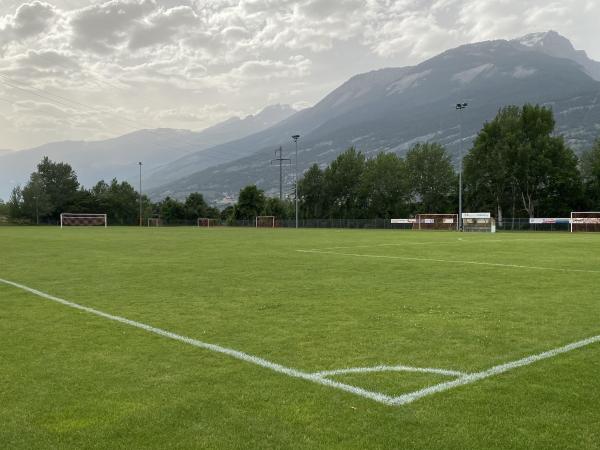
<point>342,185</point>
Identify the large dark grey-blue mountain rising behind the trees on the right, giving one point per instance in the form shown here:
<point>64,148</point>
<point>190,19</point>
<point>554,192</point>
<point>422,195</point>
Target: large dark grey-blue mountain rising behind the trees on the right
<point>390,109</point>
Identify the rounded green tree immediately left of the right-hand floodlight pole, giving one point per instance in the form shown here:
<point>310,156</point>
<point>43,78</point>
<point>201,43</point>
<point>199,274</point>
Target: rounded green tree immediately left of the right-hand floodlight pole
<point>432,178</point>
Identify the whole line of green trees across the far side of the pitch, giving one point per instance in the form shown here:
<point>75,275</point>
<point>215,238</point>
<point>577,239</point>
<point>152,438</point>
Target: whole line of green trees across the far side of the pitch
<point>516,167</point>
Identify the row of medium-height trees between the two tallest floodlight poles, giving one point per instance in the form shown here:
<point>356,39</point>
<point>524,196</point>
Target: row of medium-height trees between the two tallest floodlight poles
<point>353,186</point>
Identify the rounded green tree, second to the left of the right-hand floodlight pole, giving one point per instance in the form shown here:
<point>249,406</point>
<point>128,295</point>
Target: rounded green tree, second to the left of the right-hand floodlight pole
<point>384,187</point>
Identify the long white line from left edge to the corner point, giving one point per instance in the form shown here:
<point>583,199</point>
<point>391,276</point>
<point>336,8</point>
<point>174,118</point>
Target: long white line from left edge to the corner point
<point>379,397</point>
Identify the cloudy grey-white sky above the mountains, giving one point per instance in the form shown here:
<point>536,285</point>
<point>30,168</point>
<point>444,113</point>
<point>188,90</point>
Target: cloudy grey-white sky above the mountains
<point>81,69</point>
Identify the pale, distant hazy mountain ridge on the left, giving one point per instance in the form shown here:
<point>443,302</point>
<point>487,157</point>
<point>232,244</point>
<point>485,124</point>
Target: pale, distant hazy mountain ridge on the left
<point>118,157</point>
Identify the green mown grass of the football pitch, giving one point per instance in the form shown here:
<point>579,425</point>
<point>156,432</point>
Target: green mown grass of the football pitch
<point>70,379</point>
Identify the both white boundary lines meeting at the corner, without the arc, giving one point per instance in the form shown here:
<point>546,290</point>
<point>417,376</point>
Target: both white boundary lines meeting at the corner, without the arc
<point>403,399</point>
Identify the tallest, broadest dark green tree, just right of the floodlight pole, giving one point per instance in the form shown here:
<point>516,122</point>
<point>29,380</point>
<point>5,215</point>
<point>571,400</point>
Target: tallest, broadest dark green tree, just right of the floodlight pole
<point>516,161</point>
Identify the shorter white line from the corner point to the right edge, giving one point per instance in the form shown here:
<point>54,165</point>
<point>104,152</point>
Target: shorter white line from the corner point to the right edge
<point>496,370</point>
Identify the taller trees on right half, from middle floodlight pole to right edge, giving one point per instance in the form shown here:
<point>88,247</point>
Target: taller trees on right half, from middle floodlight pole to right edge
<point>517,166</point>
